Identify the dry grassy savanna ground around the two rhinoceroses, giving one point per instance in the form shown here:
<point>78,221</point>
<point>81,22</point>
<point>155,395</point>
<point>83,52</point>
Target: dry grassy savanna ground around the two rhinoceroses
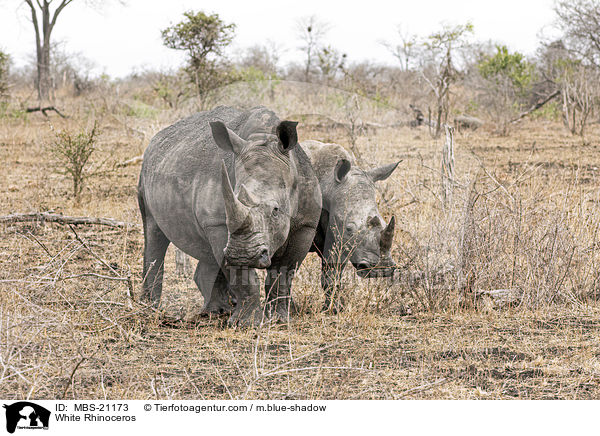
<point>523,216</point>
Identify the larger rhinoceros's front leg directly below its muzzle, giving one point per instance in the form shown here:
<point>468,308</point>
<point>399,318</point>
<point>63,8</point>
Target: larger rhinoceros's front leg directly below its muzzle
<point>244,285</point>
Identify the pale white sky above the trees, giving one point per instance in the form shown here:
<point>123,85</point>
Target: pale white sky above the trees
<point>120,38</point>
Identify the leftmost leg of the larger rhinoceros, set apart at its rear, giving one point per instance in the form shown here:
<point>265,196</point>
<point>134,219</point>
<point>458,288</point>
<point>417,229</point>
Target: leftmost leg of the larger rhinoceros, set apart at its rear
<point>155,247</point>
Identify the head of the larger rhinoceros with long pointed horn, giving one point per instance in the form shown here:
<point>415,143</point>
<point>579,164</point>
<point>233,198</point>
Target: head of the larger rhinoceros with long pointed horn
<point>259,207</point>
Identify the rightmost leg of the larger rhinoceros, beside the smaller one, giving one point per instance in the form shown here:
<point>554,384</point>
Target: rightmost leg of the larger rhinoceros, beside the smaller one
<point>278,282</point>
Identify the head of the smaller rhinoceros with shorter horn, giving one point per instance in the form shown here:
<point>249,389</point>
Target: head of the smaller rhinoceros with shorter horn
<point>360,232</point>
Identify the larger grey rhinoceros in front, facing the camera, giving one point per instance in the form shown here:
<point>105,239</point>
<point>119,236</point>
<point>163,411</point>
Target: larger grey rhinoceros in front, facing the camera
<point>234,190</point>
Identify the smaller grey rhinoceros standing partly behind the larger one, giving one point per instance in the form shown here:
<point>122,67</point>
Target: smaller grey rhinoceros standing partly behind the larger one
<point>350,228</point>
